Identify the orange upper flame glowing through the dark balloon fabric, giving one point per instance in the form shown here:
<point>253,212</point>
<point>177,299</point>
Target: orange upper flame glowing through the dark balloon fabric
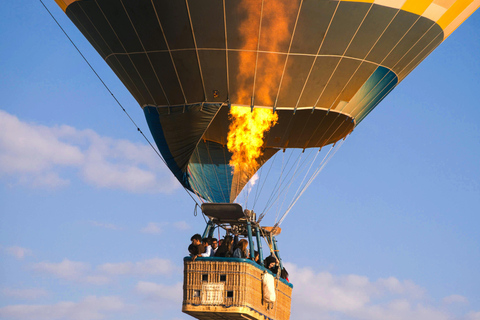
<point>276,18</point>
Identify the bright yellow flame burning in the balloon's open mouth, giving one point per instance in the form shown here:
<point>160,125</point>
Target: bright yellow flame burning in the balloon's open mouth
<point>245,136</point>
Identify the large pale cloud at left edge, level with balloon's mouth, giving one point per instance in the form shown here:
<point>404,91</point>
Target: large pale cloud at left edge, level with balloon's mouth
<point>38,156</point>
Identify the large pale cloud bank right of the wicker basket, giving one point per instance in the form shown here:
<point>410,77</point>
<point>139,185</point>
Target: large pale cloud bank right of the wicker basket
<point>322,295</point>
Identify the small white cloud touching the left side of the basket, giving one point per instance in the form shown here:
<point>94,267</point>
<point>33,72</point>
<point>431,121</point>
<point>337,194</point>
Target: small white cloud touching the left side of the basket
<point>159,292</point>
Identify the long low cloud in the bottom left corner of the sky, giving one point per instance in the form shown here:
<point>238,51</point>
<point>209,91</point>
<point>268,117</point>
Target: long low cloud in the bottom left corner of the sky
<point>90,308</point>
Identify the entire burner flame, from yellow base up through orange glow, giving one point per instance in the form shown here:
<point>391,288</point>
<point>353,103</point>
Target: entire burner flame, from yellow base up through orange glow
<point>265,31</point>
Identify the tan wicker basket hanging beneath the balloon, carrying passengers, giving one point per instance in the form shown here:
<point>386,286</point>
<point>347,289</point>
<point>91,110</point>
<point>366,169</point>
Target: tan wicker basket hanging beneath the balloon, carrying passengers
<point>230,288</point>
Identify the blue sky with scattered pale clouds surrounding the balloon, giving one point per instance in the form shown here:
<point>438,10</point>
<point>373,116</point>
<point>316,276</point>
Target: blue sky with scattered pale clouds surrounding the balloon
<point>93,226</point>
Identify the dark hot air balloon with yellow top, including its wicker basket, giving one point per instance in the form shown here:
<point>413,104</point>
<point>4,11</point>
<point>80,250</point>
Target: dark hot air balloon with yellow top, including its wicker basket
<point>201,69</point>
